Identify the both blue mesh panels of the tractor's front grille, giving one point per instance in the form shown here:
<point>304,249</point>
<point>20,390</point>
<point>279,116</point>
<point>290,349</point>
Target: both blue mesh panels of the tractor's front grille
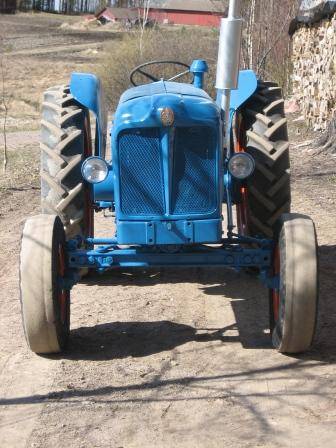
<point>193,172</point>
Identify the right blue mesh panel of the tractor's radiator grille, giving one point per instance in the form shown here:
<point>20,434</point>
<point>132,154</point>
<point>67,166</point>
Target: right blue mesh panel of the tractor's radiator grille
<point>194,171</point>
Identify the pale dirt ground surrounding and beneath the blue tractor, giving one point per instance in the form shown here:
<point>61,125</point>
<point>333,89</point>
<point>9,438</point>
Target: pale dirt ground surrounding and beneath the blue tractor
<point>161,358</point>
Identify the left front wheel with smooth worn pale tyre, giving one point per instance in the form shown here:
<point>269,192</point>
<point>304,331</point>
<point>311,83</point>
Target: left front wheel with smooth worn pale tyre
<point>45,304</point>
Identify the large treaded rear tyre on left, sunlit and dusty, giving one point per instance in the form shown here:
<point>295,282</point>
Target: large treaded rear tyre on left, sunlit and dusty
<point>63,138</point>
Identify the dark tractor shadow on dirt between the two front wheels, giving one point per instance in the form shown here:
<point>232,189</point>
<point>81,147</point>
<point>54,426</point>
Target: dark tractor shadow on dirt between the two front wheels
<point>117,340</point>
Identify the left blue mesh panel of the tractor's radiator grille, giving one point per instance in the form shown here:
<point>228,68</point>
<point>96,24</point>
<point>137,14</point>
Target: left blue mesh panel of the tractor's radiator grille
<point>141,178</point>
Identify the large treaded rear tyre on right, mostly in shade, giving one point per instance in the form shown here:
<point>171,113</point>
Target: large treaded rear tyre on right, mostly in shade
<point>266,139</point>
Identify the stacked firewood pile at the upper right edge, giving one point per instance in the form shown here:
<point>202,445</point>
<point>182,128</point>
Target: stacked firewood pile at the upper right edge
<point>314,71</point>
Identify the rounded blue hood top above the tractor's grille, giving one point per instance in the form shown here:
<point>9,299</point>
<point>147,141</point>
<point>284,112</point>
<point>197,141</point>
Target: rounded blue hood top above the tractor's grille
<point>142,106</point>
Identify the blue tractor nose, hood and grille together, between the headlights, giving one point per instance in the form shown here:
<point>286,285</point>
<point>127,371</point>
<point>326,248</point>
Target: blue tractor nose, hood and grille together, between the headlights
<point>148,213</point>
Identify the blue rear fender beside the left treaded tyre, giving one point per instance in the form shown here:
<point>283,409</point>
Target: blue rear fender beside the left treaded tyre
<point>87,90</point>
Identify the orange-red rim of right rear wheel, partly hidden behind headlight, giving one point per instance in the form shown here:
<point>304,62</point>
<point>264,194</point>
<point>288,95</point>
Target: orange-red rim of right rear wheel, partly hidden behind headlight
<point>242,208</point>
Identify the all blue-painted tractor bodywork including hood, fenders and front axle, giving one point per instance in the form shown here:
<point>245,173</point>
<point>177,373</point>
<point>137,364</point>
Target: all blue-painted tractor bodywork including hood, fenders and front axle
<point>167,182</point>
